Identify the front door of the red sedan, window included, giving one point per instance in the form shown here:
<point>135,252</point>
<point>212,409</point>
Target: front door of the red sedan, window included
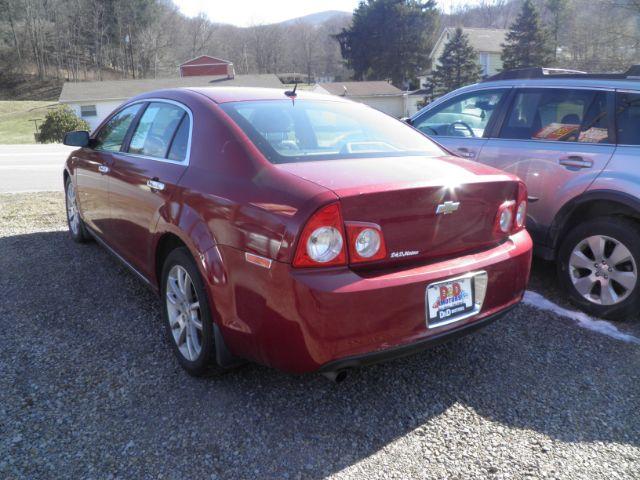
<point>93,165</point>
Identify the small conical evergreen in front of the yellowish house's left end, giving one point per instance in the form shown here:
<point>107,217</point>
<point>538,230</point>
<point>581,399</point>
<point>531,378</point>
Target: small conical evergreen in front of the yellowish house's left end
<point>457,66</point>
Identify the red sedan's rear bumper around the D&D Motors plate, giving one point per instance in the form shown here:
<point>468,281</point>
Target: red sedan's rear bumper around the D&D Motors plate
<point>301,320</point>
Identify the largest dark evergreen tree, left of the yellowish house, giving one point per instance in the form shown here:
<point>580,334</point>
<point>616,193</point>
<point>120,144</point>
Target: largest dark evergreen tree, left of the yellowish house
<point>389,39</point>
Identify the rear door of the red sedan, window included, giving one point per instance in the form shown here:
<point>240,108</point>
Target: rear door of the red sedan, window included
<point>144,178</point>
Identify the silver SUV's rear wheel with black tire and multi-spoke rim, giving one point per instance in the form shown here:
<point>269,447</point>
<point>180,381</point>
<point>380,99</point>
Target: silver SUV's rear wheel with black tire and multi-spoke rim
<point>598,264</point>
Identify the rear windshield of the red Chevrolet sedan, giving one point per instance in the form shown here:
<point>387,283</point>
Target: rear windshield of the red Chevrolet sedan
<point>306,130</point>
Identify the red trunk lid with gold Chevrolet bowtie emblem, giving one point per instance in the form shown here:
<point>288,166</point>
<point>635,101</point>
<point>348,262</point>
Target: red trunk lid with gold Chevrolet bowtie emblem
<point>402,195</point>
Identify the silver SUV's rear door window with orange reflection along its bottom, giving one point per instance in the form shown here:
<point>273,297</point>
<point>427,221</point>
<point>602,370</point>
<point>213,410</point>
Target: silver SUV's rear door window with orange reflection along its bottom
<point>558,114</point>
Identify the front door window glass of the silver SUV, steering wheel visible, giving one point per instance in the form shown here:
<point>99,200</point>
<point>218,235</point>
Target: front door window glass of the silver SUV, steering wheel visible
<point>464,116</point>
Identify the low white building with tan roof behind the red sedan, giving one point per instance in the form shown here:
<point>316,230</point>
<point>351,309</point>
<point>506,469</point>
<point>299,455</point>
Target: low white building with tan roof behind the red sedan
<point>380,95</point>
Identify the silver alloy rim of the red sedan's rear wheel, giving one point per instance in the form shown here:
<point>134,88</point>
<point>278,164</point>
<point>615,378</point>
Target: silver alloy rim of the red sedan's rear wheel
<point>183,308</point>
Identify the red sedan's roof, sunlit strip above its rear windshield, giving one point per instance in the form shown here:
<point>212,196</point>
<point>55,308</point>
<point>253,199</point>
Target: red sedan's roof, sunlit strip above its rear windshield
<point>242,94</point>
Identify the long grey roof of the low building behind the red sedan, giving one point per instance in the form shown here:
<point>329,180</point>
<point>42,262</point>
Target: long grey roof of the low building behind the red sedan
<point>74,92</point>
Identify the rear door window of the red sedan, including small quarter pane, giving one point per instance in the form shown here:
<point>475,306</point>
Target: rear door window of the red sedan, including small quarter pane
<point>156,129</point>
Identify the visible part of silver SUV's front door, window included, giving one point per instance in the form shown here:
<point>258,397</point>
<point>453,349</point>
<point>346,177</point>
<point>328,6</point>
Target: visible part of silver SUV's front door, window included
<point>462,123</point>
